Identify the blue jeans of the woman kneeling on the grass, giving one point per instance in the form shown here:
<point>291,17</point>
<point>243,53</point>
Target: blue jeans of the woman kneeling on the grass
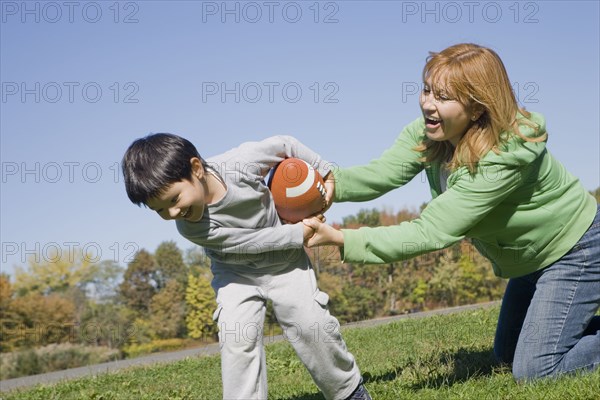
<point>547,324</point>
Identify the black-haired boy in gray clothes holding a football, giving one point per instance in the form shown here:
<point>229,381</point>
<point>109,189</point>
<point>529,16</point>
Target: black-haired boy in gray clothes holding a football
<point>223,205</point>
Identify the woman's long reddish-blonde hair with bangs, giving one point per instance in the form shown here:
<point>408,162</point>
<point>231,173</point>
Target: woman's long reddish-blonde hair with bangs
<point>474,76</point>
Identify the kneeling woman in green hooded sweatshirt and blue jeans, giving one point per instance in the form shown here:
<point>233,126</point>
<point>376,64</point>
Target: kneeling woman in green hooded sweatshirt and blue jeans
<point>493,181</point>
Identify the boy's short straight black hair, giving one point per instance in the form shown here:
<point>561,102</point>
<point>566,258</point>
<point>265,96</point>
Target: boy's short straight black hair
<point>154,162</point>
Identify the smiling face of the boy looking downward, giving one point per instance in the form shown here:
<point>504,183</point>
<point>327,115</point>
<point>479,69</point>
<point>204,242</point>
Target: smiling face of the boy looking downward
<point>183,199</point>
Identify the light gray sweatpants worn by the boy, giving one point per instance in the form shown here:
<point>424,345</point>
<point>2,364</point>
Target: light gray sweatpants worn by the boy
<point>301,310</point>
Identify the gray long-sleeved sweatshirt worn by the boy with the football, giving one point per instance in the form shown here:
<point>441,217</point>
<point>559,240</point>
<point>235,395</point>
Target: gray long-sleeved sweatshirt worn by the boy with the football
<point>242,231</point>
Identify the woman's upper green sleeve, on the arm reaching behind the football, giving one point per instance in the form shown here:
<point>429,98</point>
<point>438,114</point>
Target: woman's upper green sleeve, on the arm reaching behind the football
<point>394,168</point>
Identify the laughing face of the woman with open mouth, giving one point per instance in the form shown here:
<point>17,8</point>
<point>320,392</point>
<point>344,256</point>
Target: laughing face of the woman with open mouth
<point>445,118</point>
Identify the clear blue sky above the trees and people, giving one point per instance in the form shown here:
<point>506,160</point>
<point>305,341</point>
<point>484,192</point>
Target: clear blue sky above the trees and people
<point>81,81</point>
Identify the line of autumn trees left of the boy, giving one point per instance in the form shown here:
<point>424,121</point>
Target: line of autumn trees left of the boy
<point>63,311</point>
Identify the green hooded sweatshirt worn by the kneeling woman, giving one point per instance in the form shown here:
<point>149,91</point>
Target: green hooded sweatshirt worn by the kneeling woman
<point>522,209</point>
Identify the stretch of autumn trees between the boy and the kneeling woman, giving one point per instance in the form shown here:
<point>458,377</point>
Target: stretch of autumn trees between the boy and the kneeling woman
<point>449,277</point>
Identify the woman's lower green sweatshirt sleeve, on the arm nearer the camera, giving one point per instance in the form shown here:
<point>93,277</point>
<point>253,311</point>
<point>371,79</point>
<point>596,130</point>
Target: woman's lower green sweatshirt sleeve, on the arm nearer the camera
<point>446,219</point>
